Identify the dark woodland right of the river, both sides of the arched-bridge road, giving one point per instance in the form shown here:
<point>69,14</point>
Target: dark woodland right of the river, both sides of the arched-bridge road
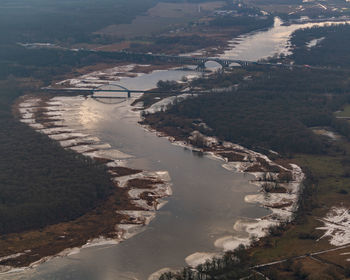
<point>274,108</point>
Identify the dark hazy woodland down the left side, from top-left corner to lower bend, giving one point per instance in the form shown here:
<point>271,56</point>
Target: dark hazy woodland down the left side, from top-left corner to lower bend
<point>41,183</point>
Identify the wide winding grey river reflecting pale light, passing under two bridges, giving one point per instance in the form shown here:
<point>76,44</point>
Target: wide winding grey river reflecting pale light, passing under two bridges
<point>207,199</point>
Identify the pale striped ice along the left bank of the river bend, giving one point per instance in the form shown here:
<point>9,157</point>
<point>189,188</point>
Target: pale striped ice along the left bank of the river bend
<point>60,119</point>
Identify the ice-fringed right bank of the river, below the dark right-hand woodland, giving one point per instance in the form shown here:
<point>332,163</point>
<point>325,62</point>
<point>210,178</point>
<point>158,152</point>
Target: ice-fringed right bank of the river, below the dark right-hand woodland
<point>278,184</point>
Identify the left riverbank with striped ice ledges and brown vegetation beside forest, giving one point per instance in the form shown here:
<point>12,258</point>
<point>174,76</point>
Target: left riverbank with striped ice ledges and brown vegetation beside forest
<point>135,198</point>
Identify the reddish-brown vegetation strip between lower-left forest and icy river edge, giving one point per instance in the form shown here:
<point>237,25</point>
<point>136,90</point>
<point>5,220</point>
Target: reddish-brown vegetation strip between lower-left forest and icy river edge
<point>53,239</point>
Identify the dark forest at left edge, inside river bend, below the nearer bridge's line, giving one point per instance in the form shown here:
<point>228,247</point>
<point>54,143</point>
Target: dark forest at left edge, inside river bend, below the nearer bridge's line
<point>40,183</point>
